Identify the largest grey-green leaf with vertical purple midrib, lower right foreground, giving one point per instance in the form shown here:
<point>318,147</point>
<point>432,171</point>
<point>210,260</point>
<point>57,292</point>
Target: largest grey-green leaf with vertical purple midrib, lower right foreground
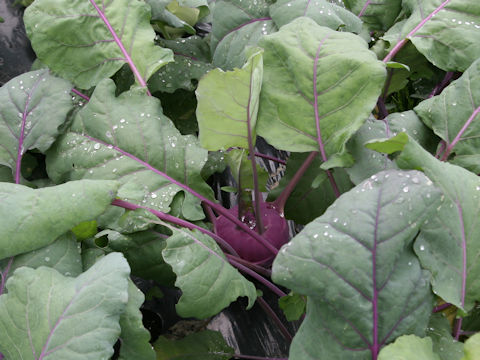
<point>364,284</point>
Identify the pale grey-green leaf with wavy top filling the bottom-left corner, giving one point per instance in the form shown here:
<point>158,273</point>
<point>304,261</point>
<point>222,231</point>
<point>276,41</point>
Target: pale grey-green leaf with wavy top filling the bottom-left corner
<point>49,316</point>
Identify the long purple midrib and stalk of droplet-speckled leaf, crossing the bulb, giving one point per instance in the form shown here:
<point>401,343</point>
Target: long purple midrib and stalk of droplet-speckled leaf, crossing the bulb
<point>218,208</point>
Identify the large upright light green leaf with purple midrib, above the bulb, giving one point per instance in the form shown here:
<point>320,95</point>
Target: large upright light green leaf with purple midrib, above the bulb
<point>319,87</point>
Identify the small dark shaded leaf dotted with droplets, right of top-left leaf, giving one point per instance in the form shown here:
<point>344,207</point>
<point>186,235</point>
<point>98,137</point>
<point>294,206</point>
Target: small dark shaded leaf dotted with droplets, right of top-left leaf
<point>192,60</point>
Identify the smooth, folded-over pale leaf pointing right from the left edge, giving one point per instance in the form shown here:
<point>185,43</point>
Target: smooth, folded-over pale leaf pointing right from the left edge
<point>31,219</point>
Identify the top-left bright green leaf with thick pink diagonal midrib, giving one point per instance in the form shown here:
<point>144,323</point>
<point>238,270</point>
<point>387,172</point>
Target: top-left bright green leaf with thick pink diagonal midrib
<point>85,42</point>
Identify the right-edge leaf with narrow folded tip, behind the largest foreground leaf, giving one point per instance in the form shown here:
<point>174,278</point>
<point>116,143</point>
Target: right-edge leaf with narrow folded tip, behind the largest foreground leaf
<point>448,244</point>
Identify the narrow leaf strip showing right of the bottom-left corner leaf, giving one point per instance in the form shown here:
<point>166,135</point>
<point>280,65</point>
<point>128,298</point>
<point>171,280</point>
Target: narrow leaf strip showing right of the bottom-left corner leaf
<point>134,338</point>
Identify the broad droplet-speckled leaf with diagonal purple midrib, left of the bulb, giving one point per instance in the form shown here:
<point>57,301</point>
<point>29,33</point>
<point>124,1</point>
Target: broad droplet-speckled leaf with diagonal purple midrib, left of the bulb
<point>129,139</point>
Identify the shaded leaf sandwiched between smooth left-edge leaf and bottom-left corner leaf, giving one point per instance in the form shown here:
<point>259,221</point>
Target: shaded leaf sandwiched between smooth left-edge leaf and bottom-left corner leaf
<point>62,255</point>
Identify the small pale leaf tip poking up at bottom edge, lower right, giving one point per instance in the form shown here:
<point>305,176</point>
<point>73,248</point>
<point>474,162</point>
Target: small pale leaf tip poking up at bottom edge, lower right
<point>409,347</point>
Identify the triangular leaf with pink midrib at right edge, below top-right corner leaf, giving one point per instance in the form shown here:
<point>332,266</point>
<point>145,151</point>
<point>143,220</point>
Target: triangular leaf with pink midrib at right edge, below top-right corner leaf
<point>453,115</point>
